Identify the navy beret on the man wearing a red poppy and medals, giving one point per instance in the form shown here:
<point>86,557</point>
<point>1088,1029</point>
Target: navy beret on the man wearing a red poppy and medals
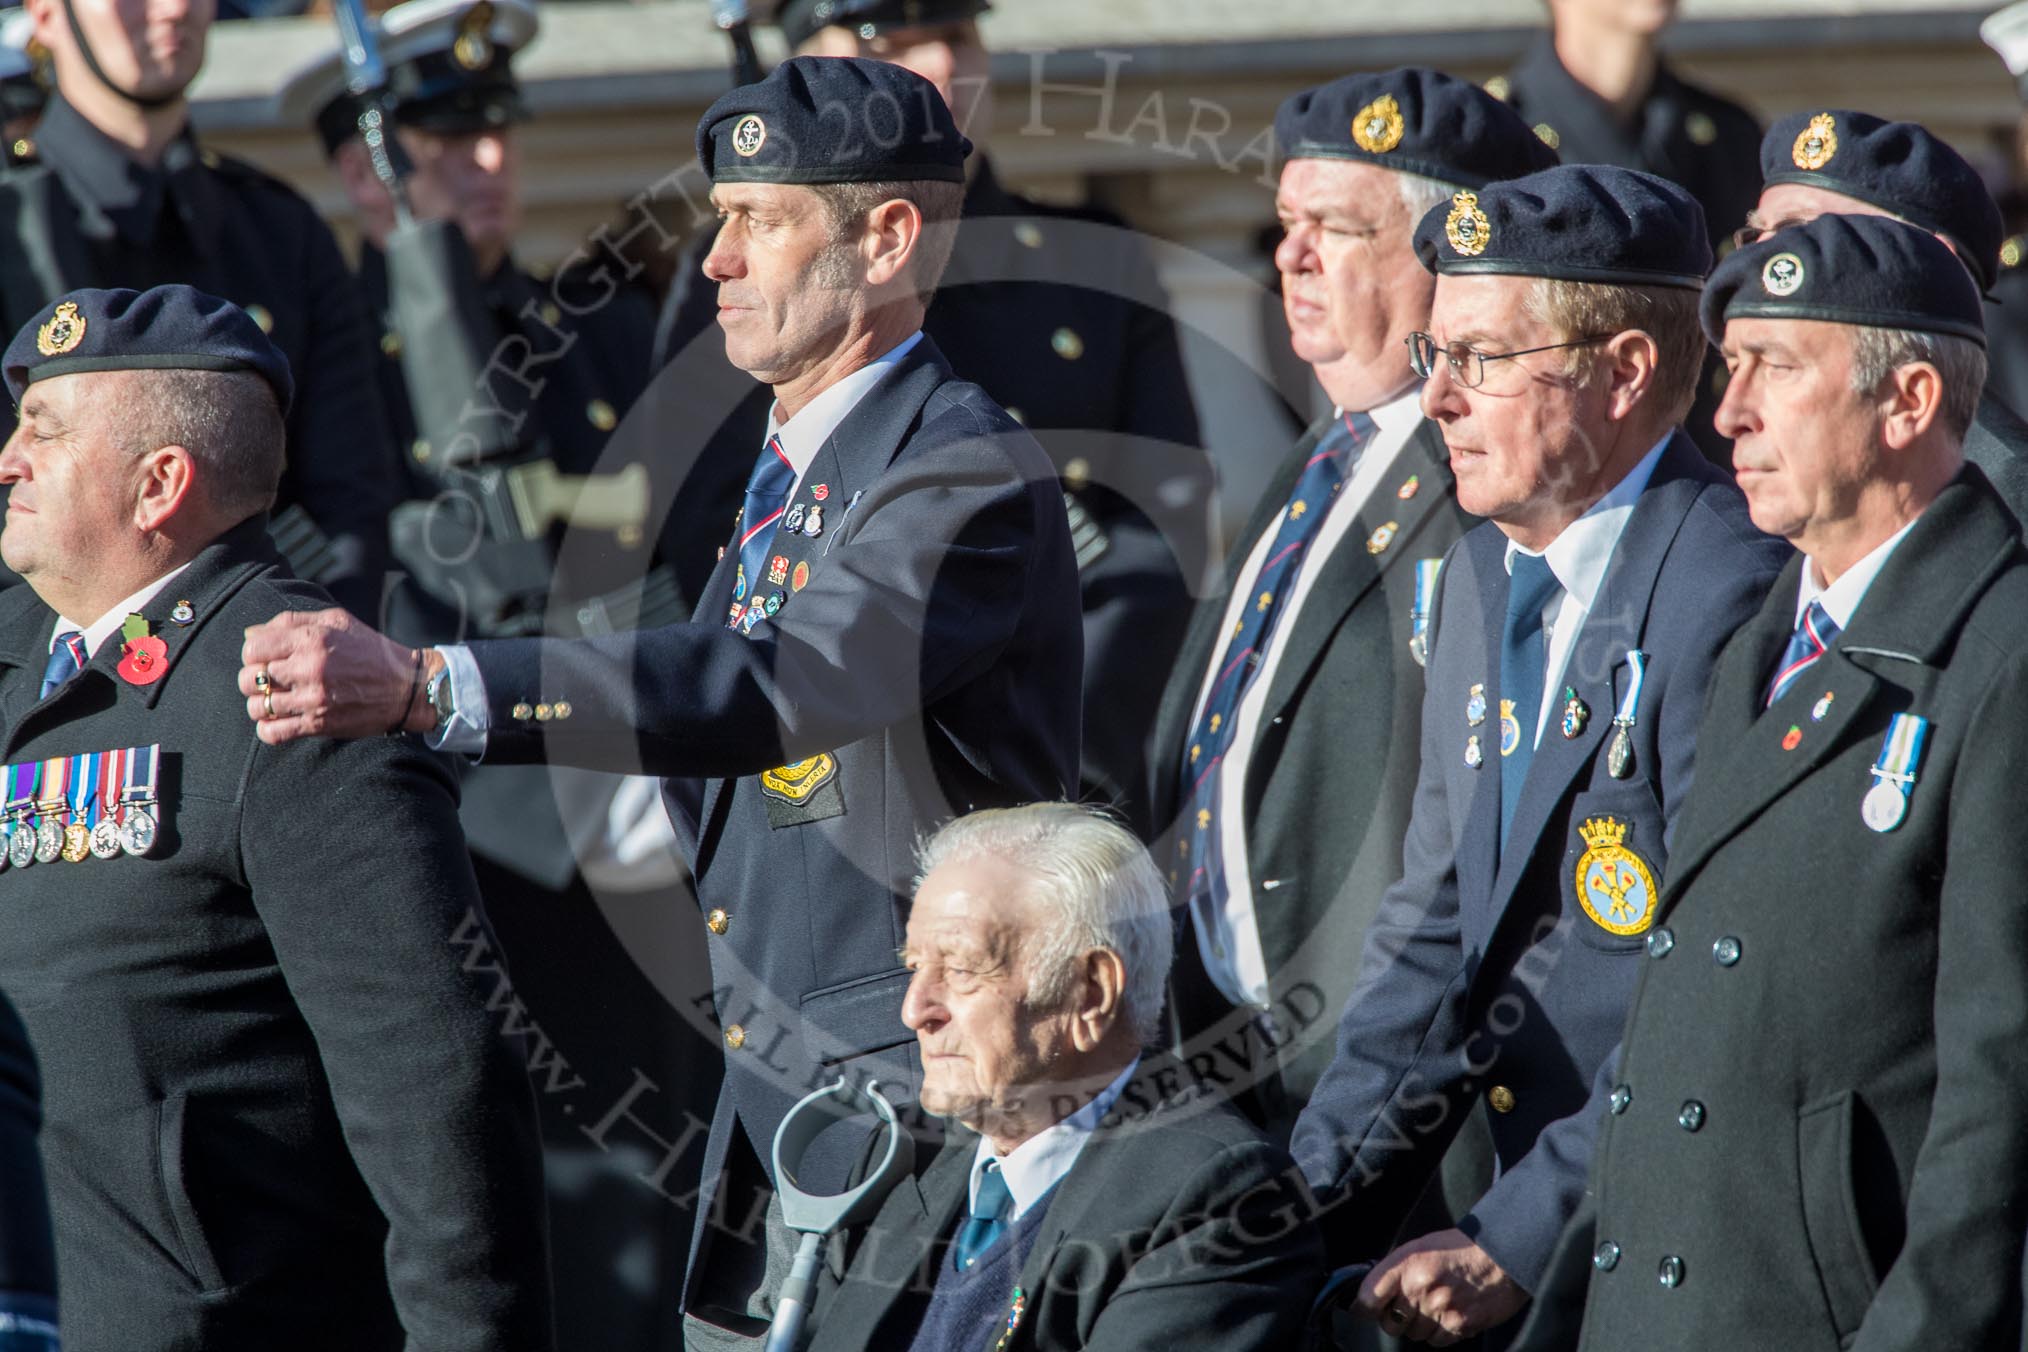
<point>161,329</point>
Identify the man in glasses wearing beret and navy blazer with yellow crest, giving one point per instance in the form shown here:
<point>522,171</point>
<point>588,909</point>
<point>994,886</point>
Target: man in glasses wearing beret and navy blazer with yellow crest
<point>1569,656</point>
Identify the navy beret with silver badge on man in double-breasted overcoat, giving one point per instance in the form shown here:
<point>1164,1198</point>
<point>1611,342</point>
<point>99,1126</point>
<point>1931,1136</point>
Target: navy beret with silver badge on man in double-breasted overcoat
<point>1846,271</point>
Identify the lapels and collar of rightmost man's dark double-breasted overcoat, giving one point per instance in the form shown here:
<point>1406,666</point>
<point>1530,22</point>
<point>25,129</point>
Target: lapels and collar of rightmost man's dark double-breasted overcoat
<point>1909,615</point>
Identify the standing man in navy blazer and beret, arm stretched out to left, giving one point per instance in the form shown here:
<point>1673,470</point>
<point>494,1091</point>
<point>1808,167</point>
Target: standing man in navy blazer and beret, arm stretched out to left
<point>889,640</point>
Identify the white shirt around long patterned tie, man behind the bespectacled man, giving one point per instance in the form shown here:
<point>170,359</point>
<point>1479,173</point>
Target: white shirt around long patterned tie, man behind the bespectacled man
<point>1234,952</point>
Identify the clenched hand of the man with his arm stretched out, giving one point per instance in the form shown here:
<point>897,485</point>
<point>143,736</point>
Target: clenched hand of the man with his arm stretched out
<point>325,674</point>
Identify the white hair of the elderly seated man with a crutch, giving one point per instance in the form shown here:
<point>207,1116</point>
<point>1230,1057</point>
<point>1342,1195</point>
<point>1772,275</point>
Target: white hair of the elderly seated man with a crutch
<point>1098,887</point>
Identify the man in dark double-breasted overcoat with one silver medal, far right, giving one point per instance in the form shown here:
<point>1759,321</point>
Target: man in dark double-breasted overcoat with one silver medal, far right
<point>1816,1124</point>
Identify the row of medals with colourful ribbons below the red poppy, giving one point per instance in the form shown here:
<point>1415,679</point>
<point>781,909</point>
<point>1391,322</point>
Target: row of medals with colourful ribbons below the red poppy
<point>76,808</point>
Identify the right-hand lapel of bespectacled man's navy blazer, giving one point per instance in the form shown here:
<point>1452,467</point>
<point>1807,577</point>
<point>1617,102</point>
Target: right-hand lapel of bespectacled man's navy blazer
<point>1599,658</point>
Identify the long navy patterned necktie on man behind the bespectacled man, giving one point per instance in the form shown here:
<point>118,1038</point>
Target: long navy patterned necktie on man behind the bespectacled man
<point>1329,467</point>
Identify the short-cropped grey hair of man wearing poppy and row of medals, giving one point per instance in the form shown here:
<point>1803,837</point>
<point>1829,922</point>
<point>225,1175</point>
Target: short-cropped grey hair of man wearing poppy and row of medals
<point>228,421</point>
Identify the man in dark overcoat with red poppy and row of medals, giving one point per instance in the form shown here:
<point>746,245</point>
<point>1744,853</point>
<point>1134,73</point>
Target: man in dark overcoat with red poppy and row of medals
<point>279,1106</point>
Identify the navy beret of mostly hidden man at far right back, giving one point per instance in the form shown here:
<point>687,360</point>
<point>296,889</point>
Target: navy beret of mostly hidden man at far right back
<point>1897,167</point>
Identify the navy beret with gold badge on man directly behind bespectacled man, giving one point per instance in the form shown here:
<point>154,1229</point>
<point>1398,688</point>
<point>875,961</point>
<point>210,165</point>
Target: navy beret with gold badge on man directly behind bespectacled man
<point>1415,121</point>
